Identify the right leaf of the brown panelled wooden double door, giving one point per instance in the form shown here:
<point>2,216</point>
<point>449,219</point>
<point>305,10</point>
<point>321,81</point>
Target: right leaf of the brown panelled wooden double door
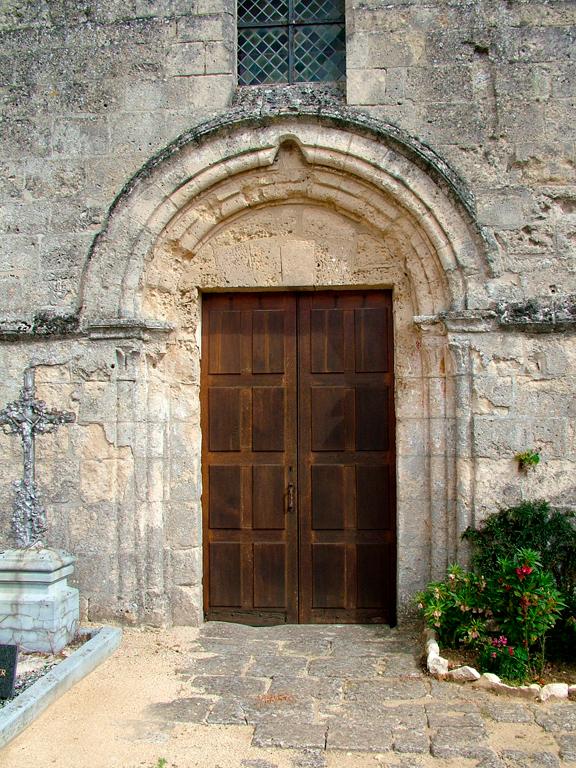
<point>345,439</point>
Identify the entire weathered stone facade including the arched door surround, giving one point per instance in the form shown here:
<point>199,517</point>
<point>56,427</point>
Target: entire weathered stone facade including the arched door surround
<point>136,174</point>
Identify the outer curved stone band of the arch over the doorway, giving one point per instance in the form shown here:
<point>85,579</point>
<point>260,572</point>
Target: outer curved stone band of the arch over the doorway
<point>417,183</point>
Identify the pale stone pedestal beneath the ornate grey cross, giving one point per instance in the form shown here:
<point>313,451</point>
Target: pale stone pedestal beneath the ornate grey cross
<point>38,610</point>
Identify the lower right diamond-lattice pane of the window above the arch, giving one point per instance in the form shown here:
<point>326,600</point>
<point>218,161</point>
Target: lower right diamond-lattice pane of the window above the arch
<point>319,53</point>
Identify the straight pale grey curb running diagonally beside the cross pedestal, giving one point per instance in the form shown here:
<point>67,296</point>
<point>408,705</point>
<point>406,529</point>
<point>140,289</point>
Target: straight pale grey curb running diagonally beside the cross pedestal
<point>17,714</point>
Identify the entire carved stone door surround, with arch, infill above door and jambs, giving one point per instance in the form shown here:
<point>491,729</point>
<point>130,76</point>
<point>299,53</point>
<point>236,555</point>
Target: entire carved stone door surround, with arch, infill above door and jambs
<point>257,209</point>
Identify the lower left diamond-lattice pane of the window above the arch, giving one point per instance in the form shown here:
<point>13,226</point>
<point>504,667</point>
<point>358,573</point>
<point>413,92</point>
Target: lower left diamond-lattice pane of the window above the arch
<point>262,56</point>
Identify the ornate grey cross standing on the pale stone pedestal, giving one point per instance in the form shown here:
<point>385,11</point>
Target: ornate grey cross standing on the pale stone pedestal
<point>29,417</point>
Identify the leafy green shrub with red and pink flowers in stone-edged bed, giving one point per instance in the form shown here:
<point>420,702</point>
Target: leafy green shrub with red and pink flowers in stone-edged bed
<point>505,616</point>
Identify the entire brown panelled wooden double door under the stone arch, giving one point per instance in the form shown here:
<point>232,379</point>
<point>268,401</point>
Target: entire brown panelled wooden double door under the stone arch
<point>298,457</point>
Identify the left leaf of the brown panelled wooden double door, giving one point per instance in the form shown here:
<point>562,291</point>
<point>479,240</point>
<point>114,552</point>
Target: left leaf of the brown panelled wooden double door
<point>249,459</point>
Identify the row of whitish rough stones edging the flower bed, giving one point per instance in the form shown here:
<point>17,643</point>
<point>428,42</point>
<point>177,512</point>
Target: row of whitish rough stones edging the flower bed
<point>437,666</point>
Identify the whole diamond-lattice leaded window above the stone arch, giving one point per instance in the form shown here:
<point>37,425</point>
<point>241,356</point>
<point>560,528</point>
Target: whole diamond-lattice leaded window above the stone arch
<point>291,41</point>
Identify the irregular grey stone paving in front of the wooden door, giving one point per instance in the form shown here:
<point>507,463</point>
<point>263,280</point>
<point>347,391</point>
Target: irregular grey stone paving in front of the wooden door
<point>359,690</point>
